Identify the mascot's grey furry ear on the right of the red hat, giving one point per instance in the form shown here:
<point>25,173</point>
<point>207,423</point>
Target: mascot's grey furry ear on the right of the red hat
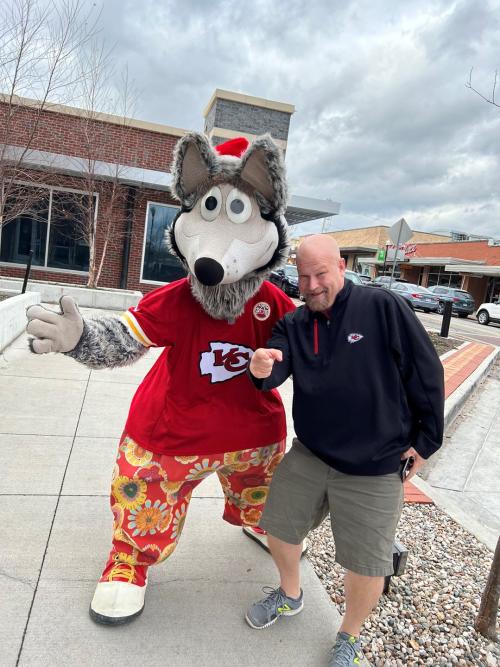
<point>263,168</point>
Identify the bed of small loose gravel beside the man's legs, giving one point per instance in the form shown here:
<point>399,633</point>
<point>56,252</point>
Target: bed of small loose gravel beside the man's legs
<point>428,615</point>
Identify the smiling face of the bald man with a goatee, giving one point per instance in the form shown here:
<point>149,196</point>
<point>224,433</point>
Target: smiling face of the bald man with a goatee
<point>321,277</point>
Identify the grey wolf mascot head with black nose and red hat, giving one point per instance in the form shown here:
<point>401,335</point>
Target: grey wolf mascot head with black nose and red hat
<point>231,231</point>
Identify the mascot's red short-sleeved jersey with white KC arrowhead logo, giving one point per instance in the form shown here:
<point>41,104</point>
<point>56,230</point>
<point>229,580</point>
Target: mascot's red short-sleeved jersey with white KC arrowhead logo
<point>196,399</point>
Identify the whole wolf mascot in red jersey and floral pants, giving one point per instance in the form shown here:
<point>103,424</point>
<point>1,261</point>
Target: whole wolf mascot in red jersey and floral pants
<point>195,413</point>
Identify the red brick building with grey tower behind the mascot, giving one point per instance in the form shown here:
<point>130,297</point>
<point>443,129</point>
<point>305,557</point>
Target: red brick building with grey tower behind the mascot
<point>73,175</point>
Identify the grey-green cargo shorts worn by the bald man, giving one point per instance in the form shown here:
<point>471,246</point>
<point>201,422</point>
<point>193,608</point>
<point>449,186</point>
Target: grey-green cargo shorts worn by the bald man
<point>364,510</point>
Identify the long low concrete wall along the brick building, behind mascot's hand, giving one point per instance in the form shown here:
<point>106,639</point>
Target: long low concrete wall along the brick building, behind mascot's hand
<point>110,299</point>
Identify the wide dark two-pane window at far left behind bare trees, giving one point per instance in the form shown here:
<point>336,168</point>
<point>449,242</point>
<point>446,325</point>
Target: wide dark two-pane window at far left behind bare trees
<point>50,222</point>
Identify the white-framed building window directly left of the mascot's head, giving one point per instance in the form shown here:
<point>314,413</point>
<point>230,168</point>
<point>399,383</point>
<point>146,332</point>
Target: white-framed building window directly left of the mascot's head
<point>158,265</point>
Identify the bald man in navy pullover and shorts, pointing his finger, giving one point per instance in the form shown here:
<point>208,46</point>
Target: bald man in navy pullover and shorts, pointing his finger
<point>368,396</point>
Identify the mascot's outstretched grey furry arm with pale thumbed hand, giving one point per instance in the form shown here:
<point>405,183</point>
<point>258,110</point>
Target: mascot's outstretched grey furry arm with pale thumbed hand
<point>103,342</point>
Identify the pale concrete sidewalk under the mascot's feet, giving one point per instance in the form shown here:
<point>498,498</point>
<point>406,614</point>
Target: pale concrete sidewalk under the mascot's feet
<point>59,426</point>
